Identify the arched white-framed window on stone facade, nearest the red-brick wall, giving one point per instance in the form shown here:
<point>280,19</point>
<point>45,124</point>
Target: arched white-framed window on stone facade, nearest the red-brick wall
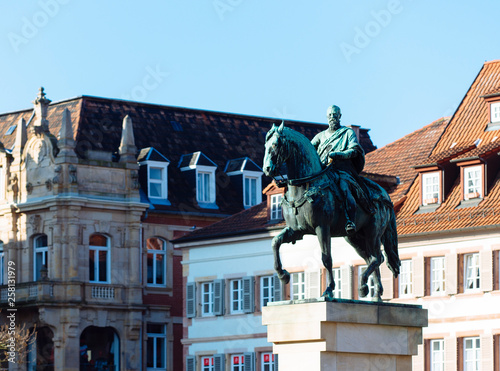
<point>99,259</point>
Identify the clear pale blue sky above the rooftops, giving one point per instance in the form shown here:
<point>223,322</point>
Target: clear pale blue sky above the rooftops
<point>392,66</point>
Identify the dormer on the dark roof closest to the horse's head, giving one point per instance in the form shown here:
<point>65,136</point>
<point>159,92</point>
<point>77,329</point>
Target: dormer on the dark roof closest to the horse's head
<point>246,177</point>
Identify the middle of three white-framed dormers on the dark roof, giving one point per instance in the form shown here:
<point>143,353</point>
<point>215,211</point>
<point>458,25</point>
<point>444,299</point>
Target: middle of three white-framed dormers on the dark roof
<point>200,173</point>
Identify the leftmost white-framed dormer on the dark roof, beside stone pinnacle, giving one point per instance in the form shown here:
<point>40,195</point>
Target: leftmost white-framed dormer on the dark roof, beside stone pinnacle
<point>153,175</point>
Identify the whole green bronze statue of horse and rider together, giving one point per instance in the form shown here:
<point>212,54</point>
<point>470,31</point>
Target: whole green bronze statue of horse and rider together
<point>326,196</point>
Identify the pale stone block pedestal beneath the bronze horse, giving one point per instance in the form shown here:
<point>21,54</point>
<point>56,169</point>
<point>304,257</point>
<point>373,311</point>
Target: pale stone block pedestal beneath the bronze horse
<point>344,335</point>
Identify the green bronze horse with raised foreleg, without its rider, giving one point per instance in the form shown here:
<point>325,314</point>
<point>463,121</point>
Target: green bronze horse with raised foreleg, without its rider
<point>312,205</point>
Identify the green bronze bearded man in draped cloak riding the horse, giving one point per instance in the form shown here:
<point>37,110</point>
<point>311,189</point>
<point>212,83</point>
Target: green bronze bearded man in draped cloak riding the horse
<point>340,144</point>
